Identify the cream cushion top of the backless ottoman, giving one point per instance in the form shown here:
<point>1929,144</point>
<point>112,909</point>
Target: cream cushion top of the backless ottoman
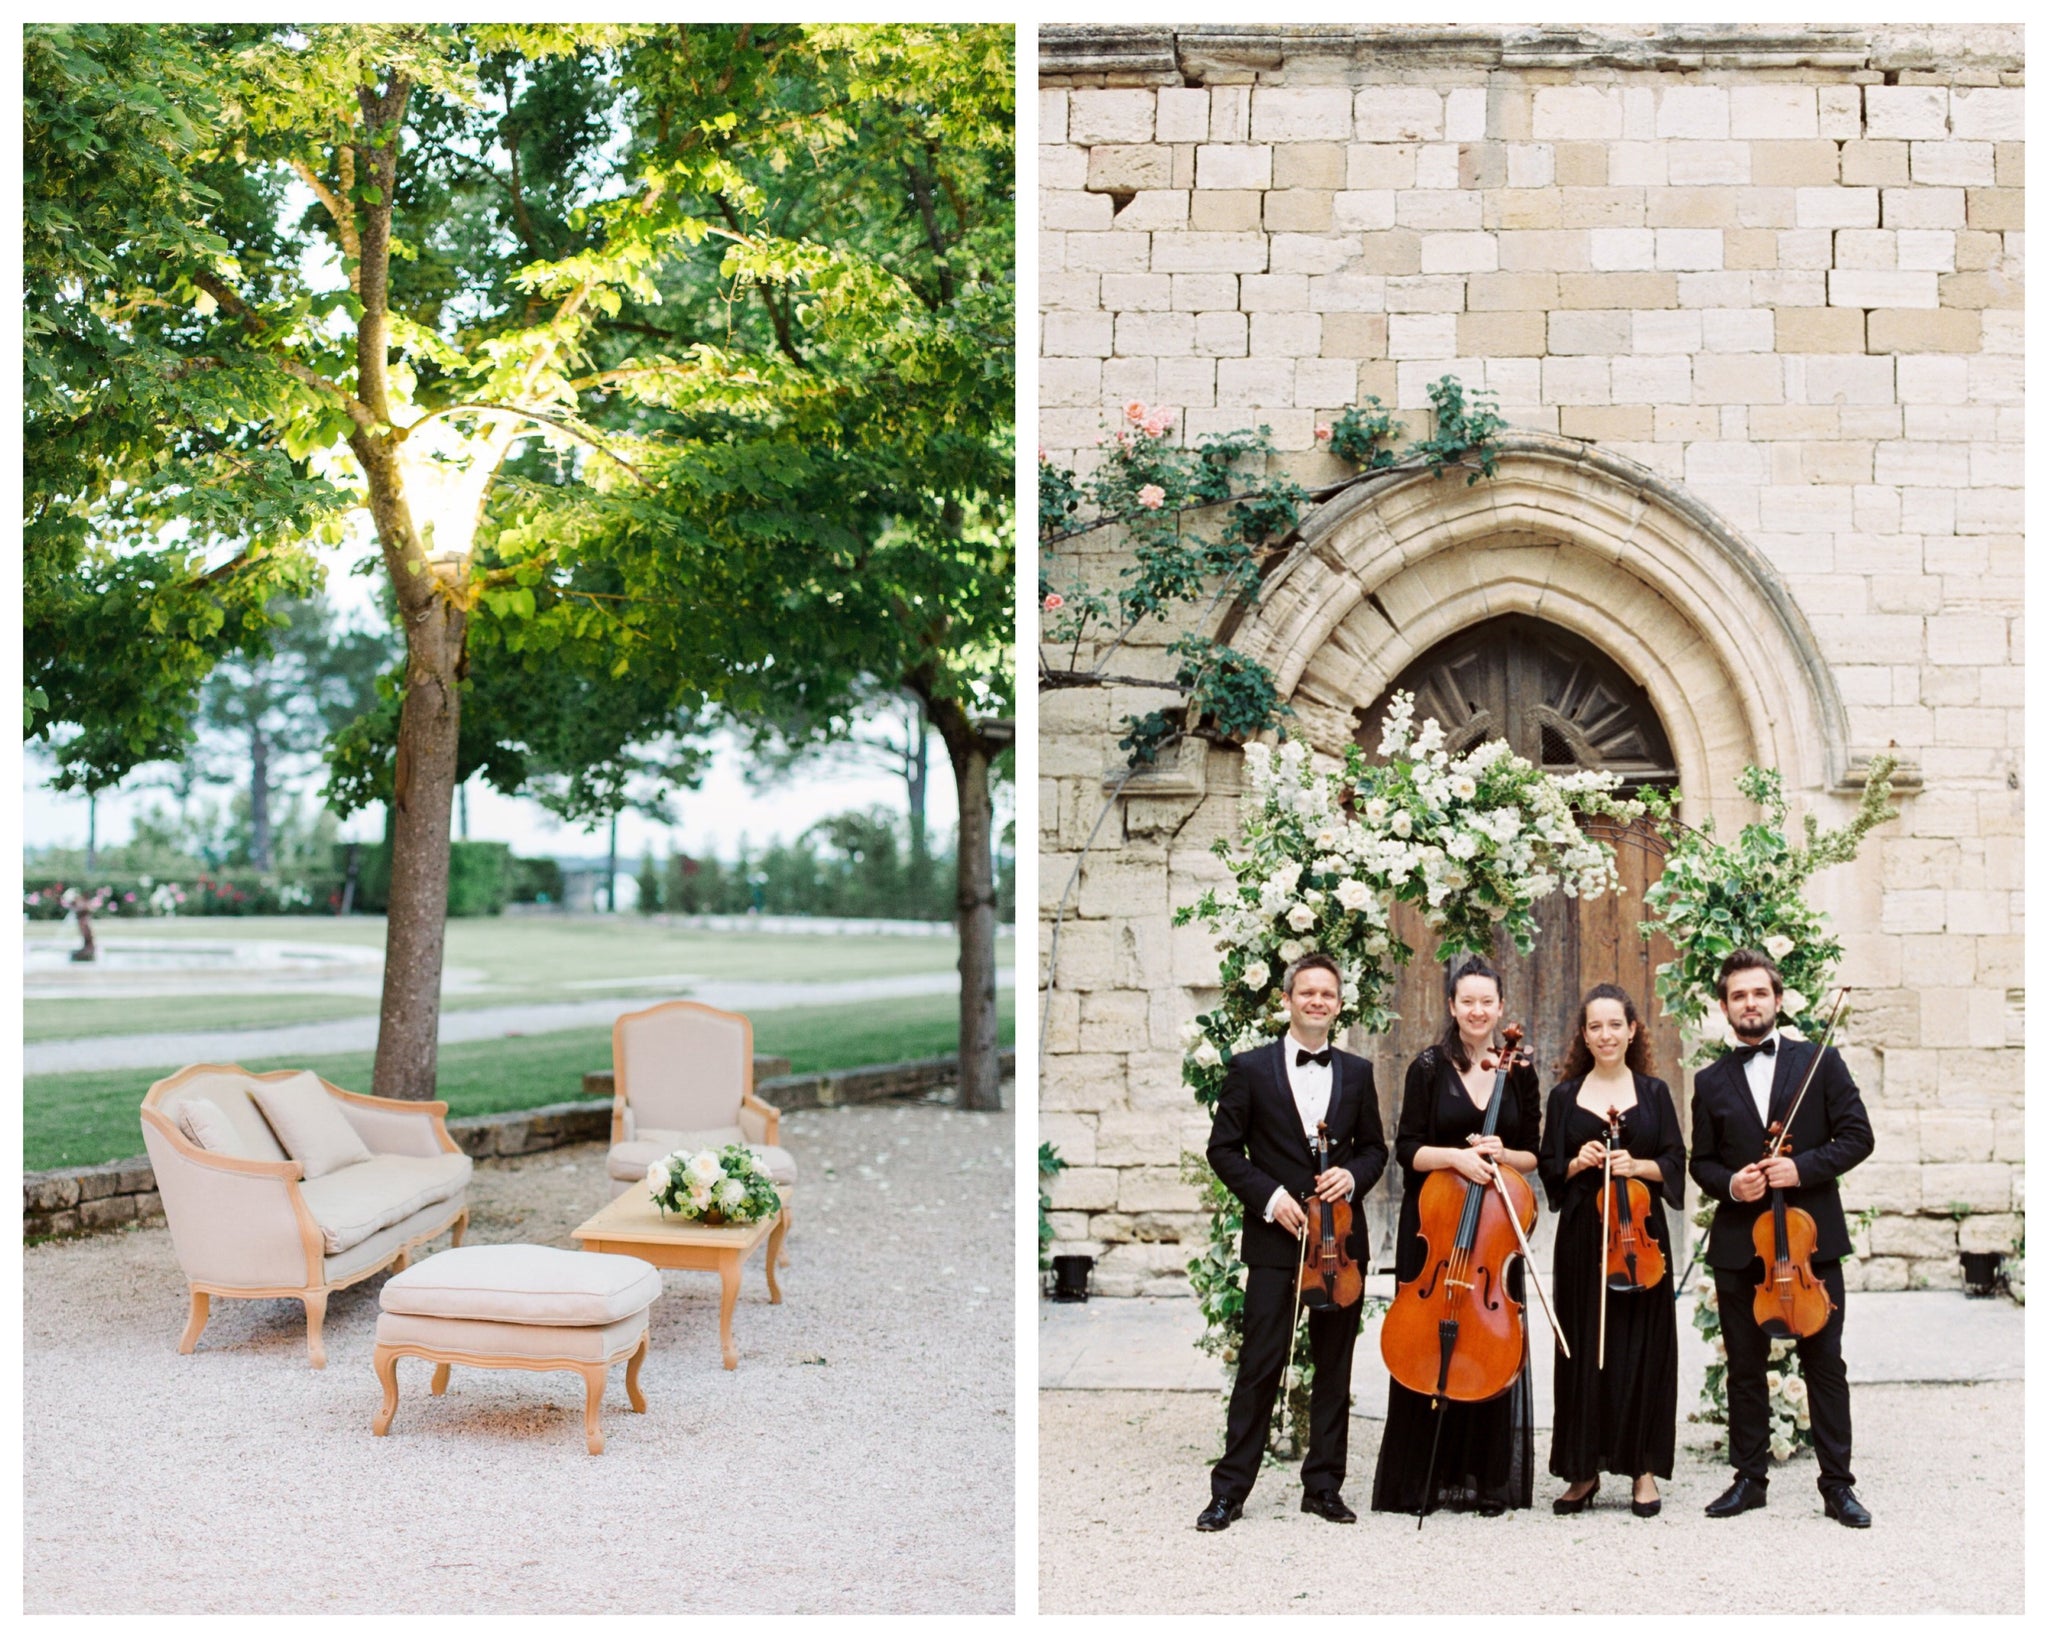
<point>523,1285</point>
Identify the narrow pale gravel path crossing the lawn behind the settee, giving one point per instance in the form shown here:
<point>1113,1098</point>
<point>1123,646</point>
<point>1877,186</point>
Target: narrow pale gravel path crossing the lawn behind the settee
<point>359,1035</point>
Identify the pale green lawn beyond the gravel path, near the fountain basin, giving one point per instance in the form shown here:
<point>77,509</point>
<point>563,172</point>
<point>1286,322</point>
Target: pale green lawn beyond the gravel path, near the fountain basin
<point>505,961</point>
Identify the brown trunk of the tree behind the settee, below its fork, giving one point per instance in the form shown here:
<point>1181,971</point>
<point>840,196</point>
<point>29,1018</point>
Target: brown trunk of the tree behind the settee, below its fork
<point>423,798</point>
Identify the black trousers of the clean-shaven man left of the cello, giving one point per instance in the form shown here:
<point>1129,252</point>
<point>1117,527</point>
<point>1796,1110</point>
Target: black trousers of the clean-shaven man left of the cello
<point>1332,1336</point>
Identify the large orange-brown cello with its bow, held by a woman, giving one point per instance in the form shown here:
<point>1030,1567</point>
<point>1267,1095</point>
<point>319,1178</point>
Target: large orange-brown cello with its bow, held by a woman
<point>1455,1332</point>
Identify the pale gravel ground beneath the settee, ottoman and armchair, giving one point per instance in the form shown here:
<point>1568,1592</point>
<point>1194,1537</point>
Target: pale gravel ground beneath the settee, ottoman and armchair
<point>863,1457</point>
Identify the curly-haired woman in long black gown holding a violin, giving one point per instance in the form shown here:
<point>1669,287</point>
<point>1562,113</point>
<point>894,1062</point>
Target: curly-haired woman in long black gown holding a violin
<point>1621,1418</point>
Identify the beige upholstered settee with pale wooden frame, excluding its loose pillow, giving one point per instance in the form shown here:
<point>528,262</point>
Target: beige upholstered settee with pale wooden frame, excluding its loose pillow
<point>247,1221</point>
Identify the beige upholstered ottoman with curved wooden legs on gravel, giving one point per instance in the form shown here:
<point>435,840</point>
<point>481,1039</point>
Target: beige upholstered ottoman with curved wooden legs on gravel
<point>519,1307</point>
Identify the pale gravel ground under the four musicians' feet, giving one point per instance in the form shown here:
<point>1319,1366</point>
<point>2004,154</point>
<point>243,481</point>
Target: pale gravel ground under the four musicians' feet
<point>1123,1475</point>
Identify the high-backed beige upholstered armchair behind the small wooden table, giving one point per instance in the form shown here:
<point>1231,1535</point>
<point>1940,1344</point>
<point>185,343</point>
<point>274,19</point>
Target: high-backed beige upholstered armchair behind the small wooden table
<point>683,1078</point>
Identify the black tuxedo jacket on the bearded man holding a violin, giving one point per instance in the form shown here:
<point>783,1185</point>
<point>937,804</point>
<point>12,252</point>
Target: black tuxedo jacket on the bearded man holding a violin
<point>1830,1135</point>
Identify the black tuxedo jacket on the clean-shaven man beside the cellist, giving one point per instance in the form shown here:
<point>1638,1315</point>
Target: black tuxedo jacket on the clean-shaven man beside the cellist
<point>1256,1146</point>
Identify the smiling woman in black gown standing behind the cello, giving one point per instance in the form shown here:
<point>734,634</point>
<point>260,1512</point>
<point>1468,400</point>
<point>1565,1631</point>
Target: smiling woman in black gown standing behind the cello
<point>1488,1451</point>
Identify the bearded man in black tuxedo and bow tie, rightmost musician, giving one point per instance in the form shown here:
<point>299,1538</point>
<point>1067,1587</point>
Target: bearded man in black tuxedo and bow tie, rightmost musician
<point>1734,1105</point>
